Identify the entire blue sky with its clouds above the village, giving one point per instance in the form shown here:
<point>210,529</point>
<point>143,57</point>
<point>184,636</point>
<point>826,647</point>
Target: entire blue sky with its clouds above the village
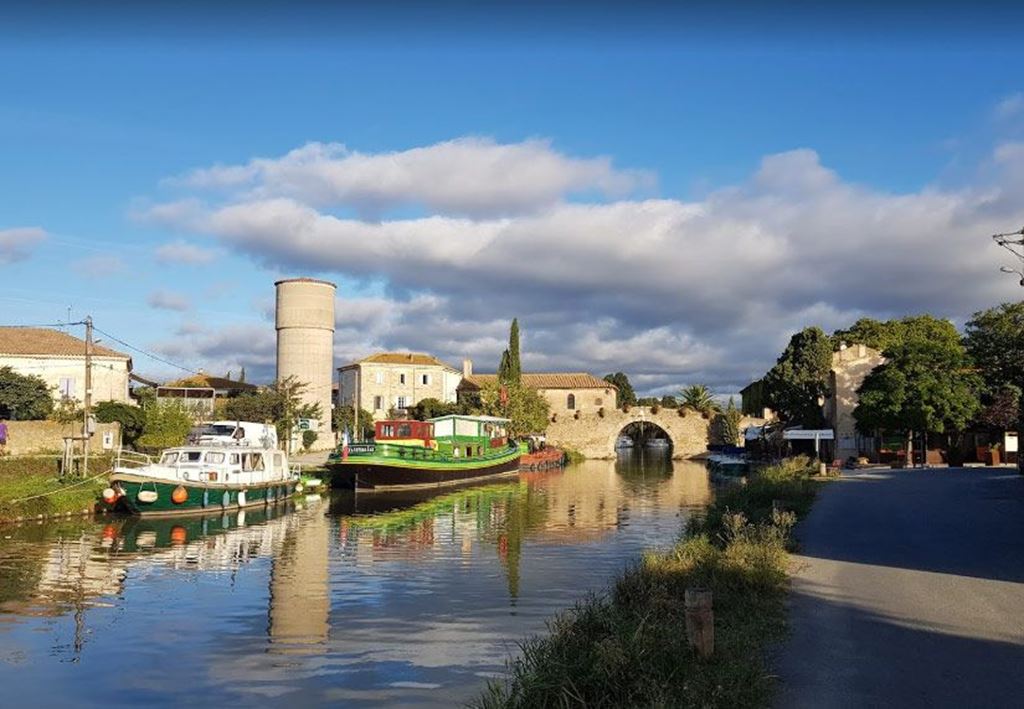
<point>98,121</point>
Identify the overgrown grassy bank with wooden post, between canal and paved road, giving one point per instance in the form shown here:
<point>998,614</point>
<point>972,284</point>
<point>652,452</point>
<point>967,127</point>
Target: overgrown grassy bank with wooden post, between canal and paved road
<point>629,647</point>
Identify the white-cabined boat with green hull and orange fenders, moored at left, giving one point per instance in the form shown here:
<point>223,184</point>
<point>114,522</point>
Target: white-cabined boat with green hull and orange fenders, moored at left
<point>201,479</point>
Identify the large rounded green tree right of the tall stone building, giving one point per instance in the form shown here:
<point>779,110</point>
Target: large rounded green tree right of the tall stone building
<point>925,386</point>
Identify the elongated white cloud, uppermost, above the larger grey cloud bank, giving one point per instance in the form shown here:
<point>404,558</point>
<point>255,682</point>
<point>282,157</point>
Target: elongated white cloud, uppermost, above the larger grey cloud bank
<point>470,176</point>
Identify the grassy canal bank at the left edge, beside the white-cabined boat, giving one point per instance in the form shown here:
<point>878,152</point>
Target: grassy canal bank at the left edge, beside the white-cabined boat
<point>29,477</point>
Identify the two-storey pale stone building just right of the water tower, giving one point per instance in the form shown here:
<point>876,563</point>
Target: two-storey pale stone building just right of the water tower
<point>396,381</point>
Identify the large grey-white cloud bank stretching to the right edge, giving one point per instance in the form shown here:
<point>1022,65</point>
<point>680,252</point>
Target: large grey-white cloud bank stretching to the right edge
<point>670,291</point>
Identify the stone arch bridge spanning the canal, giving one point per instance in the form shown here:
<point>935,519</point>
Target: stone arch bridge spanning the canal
<point>594,436</point>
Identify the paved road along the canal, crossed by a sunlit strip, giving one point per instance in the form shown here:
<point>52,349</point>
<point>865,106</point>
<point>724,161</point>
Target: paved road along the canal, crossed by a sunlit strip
<point>910,593</point>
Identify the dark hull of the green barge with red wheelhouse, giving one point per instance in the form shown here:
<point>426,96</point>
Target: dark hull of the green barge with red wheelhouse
<point>383,476</point>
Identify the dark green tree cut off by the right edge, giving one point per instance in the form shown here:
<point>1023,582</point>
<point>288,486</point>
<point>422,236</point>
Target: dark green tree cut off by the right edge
<point>996,342</point>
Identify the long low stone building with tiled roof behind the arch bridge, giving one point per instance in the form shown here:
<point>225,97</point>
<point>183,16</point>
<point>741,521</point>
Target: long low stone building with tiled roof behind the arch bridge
<point>567,393</point>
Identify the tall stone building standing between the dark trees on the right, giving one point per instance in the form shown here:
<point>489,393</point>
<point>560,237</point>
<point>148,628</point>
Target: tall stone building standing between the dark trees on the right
<point>850,366</point>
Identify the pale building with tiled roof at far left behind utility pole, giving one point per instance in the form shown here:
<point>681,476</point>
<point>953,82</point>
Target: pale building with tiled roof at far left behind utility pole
<point>60,360</point>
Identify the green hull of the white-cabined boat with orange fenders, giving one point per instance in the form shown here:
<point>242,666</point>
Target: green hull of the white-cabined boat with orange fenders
<point>200,498</point>
